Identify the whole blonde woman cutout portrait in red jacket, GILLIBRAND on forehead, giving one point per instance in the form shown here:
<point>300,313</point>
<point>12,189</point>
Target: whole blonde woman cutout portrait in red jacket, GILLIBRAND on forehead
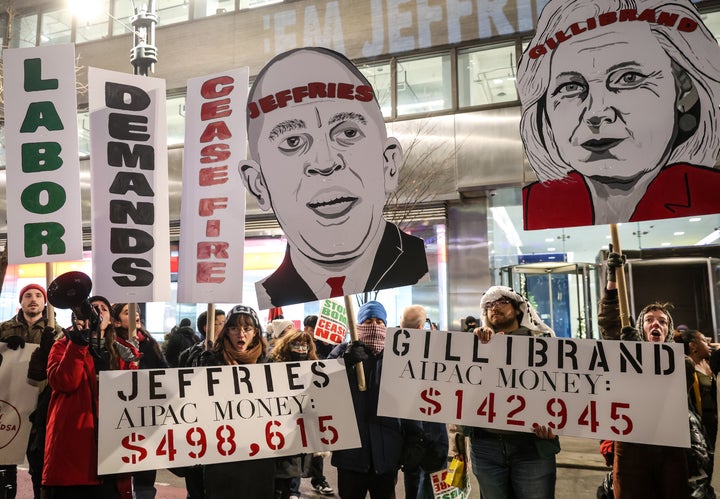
<point>620,113</point>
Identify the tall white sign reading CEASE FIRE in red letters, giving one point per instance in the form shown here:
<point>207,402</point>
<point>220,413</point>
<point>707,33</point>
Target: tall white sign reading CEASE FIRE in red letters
<point>213,200</point>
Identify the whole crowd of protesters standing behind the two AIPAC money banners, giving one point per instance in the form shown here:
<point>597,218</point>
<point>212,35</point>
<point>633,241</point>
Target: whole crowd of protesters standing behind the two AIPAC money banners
<point>506,464</point>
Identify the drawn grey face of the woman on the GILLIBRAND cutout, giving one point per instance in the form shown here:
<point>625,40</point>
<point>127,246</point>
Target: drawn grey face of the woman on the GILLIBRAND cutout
<point>611,101</point>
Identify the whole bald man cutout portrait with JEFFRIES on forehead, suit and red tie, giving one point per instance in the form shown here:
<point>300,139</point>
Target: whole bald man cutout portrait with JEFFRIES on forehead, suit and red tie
<point>322,161</point>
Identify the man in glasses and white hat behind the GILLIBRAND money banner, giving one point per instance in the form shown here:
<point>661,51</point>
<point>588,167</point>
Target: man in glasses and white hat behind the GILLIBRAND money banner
<point>512,463</point>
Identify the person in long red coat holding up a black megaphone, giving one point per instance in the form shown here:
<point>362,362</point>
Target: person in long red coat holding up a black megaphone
<point>71,448</point>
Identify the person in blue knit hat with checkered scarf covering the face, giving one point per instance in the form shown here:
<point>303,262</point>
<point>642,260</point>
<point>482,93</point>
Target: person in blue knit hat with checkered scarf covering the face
<point>373,467</point>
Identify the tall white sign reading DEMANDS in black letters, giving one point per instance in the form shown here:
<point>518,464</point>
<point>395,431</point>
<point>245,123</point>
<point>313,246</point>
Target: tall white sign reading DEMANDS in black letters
<point>130,208</point>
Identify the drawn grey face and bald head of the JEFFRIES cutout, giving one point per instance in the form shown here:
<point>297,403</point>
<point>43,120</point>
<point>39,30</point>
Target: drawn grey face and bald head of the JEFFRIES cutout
<point>323,164</point>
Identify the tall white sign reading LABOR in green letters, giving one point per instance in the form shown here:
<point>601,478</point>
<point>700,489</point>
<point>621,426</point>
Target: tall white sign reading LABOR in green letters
<point>43,165</point>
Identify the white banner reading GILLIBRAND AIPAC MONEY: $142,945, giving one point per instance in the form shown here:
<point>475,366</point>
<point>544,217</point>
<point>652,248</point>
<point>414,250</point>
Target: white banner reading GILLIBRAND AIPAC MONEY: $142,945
<point>583,388</point>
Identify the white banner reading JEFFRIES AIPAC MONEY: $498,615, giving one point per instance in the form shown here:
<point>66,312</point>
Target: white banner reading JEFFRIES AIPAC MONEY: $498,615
<point>162,418</point>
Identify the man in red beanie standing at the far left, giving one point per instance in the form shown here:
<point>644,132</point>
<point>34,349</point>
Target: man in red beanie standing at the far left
<point>31,325</point>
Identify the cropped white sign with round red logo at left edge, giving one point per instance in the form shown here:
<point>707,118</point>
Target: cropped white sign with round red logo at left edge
<point>17,401</point>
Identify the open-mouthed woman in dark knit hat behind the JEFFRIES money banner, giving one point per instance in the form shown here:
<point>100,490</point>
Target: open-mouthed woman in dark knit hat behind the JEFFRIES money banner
<point>240,341</point>
